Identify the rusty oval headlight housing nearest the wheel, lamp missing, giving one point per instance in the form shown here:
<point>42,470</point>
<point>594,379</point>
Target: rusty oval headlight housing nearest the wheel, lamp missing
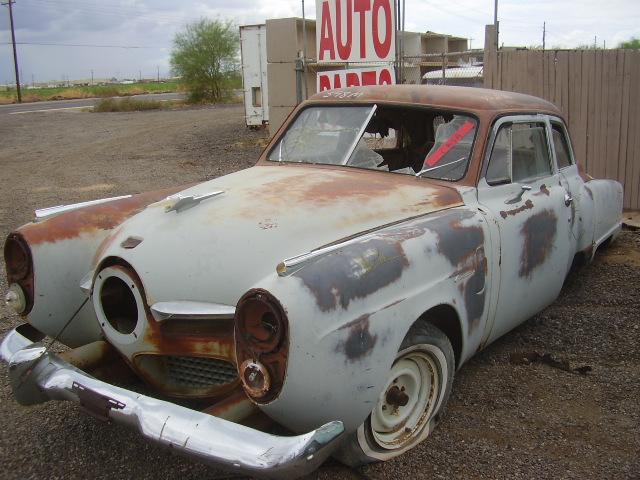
<point>262,344</point>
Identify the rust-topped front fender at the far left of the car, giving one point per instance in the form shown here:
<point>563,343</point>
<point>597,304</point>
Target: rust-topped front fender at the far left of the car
<point>62,249</point>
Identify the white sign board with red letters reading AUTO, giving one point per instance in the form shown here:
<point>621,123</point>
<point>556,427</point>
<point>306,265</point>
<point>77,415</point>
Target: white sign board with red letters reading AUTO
<point>355,30</point>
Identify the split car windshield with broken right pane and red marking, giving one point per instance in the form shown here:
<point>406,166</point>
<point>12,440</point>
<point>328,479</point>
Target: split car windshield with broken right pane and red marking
<point>413,141</point>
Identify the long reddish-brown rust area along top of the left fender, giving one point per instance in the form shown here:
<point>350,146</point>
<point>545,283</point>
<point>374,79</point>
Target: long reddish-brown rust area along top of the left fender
<point>101,217</point>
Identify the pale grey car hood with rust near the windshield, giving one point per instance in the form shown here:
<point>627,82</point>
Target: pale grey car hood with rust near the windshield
<point>222,245</point>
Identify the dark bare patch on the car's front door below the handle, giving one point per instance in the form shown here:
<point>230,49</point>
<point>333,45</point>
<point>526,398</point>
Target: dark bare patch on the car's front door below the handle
<point>539,232</point>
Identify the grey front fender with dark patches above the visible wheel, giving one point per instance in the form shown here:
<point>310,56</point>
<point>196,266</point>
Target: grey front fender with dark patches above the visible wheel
<point>350,308</point>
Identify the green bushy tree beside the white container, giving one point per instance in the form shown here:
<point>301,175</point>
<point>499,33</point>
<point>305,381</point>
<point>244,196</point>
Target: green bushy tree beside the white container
<point>205,54</point>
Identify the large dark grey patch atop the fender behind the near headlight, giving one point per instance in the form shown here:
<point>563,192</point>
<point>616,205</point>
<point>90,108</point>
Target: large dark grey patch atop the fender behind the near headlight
<point>354,271</point>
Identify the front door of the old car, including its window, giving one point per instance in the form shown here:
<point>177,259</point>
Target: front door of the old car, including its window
<point>524,197</point>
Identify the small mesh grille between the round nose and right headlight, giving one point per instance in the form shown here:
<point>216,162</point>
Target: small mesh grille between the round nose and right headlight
<point>196,372</point>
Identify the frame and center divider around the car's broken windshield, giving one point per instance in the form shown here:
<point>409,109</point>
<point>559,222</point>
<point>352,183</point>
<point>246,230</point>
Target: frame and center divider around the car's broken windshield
<point>273,145</point>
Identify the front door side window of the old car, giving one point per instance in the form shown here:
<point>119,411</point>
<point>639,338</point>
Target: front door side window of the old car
<point>519,154</point>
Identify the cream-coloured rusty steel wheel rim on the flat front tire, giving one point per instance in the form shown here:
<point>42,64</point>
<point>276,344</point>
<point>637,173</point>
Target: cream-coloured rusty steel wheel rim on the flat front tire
<point>416,375</point>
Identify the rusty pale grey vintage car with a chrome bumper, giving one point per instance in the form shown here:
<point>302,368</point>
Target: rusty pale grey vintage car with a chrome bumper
<point>385,235</point>
